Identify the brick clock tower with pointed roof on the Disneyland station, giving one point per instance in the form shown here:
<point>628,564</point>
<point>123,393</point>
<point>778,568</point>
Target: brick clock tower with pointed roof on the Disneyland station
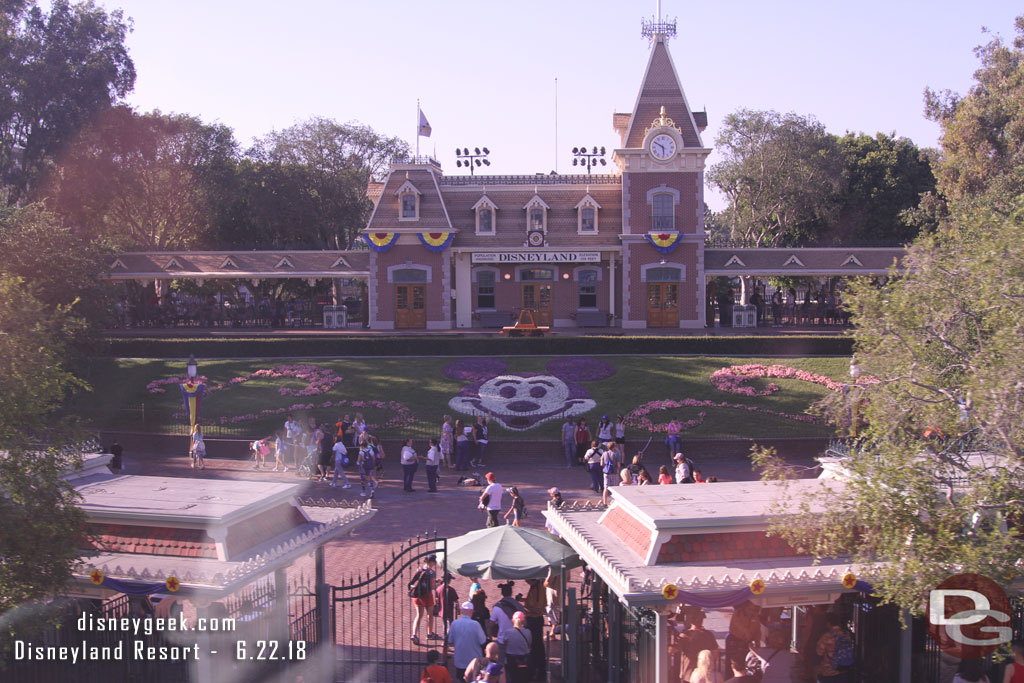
<point>662,160</point>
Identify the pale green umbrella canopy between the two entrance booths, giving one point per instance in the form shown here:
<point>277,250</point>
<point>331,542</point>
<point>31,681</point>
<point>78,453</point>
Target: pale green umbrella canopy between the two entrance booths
<point>509,552</point>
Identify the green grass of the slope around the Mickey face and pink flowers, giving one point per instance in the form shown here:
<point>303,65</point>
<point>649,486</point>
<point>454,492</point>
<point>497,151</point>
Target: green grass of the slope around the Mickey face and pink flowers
<point>121,401</point>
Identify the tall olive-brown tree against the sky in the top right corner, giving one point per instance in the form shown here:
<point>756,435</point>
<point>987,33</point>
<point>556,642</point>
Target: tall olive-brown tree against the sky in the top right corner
<point>984,133</point>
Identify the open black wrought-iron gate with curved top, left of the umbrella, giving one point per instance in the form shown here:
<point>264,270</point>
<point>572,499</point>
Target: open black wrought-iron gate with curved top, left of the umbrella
<point>373,617</point>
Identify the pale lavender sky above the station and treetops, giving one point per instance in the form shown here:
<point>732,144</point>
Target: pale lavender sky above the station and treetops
<point>485,72</point>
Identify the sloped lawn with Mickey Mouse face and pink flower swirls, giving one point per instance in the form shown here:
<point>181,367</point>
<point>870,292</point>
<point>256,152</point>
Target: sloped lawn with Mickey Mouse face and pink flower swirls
<point>528,398</point>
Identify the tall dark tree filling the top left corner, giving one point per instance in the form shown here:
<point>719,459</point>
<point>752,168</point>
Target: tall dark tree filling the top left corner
<point>58,71</point>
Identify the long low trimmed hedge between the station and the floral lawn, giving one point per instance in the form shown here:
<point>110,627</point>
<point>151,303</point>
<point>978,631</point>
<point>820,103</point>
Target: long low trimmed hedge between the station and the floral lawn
<point>270,348</point>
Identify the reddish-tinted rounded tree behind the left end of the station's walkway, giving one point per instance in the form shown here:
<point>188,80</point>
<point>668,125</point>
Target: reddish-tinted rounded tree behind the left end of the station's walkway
<point>145,181</point>
